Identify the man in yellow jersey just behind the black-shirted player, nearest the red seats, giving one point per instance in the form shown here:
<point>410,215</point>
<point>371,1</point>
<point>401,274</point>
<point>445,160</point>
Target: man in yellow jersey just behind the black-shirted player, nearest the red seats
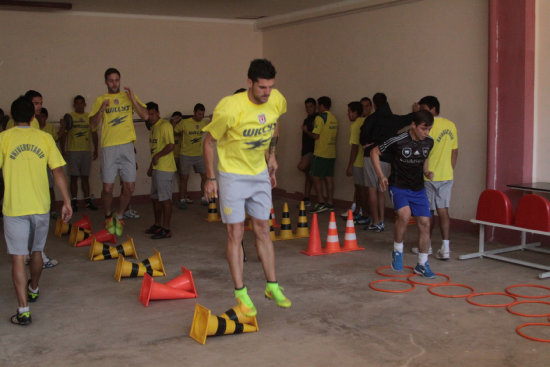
<point>442,161</point>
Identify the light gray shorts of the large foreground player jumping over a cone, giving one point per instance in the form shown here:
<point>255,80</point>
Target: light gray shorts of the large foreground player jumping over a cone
<point>244,192</point>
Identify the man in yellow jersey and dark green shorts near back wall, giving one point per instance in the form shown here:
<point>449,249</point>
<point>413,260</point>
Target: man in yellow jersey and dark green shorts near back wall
<point>324,155</point>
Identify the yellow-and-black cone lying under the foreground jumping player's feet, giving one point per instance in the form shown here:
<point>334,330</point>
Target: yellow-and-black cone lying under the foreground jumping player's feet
<point>205,324</point>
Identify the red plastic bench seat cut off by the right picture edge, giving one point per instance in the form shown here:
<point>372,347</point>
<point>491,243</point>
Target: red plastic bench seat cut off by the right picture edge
<point>533,212</point>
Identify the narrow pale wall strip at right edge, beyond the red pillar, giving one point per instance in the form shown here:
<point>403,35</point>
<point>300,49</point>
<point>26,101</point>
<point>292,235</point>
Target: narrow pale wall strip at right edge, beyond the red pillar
<point>541,163</point>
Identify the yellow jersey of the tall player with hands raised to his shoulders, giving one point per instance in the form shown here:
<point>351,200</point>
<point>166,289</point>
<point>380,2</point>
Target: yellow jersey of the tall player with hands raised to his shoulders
<point>118,121</point>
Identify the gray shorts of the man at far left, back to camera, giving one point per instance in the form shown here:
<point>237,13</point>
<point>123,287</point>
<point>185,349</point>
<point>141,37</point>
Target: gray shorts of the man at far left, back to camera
<point>26,234</point>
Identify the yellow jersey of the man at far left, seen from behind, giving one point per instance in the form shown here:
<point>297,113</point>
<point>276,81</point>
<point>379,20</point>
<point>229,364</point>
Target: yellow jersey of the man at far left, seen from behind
<point>24,154</point>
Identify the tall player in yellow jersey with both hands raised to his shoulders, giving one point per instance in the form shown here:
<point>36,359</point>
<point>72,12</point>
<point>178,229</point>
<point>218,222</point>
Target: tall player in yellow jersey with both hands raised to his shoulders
<point>116,109</point>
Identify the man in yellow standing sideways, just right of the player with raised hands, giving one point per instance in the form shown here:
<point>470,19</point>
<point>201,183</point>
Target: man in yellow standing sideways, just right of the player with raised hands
<point>161,170</point>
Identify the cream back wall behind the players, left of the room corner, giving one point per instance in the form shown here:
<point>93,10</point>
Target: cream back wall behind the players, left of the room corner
<point>175,62</point>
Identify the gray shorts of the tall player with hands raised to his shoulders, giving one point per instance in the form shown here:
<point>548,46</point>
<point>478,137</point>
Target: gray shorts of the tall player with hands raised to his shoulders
<point>118,158</point>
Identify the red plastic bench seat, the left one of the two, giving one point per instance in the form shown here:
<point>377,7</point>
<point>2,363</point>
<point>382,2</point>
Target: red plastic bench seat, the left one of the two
<point>495,207</point>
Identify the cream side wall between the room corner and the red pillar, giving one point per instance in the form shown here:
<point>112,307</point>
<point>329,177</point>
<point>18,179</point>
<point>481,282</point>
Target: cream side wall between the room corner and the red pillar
<point>408,51</point>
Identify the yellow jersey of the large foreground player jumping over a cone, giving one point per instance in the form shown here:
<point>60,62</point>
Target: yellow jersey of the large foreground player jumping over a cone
<point>244,130</point>
